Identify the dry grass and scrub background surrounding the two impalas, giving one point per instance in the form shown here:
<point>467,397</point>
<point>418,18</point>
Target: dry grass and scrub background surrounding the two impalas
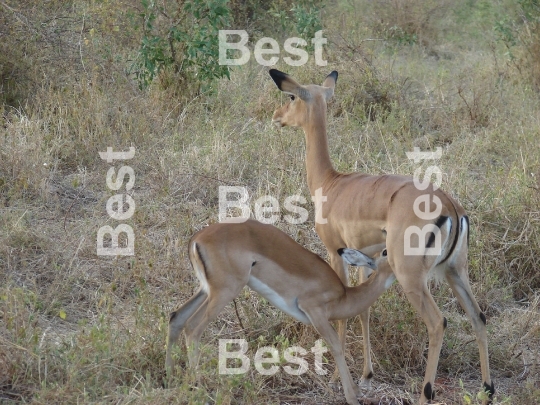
<point>79,328</point>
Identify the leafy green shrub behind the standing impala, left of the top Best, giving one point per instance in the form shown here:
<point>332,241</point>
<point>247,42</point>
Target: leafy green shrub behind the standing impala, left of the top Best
<point>182,36</point>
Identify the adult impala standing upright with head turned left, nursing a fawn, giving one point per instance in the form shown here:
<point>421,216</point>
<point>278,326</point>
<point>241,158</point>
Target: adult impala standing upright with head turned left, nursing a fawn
<point>362,210</point>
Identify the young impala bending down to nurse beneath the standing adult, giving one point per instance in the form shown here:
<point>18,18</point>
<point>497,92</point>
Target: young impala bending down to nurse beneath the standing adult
<point>228,256</point>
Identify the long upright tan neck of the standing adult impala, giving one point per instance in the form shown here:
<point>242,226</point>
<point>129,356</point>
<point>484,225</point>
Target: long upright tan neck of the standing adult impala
<point>318,164</point>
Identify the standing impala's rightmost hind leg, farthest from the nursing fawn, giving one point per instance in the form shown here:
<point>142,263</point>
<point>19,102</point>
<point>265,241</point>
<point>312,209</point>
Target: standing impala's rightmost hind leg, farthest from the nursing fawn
<point>459,282</point>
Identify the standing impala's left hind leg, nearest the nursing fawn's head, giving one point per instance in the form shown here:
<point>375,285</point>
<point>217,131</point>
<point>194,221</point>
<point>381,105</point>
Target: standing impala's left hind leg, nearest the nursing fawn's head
<point>419,296</point>
